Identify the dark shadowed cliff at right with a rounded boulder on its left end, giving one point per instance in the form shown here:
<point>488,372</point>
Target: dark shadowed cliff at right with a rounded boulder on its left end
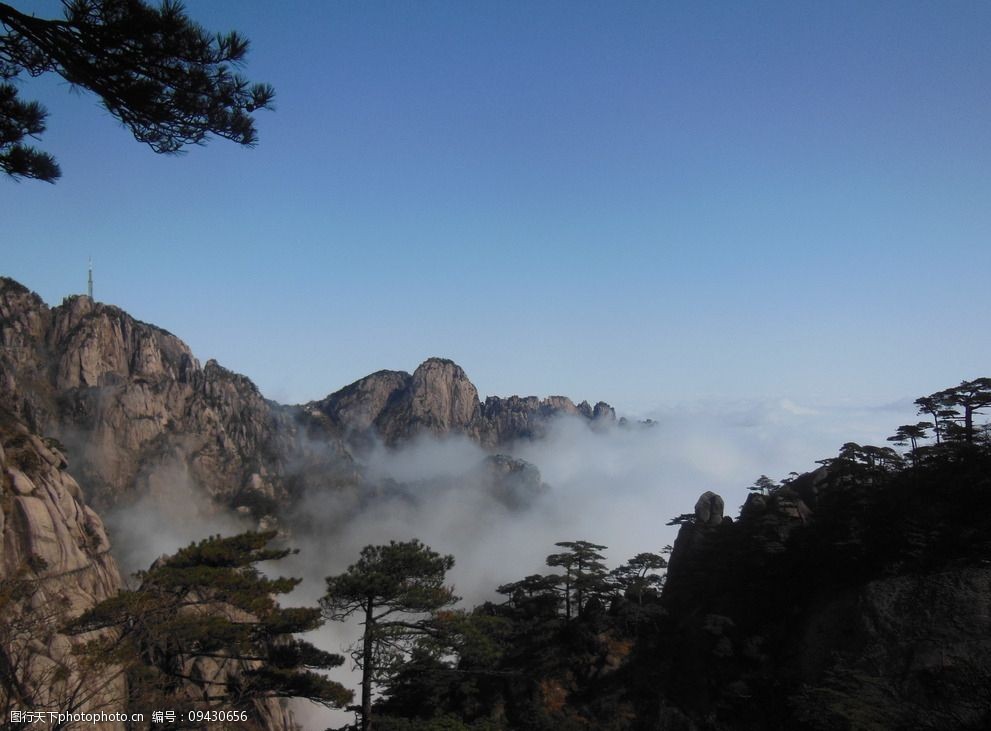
<point>851,598</point>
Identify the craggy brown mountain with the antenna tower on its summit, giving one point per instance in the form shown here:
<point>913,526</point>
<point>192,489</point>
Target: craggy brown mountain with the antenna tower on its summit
<point>121,394</point>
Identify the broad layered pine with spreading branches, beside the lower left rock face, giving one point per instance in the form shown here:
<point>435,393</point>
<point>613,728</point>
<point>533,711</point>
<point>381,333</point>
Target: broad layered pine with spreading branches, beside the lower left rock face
<point>204,628</point>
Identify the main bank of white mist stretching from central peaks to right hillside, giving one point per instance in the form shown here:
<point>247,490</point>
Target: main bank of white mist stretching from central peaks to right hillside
<point>616,486</point>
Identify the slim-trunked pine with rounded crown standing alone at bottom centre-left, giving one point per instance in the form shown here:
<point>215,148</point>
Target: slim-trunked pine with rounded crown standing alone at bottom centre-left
<point>397,590</point>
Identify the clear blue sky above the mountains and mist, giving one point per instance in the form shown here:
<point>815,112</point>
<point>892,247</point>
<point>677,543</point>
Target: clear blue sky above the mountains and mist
<point>635,202</point>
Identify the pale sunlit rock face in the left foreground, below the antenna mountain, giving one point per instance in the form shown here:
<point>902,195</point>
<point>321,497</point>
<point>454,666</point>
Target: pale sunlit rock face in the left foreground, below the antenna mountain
<point>55,563</point>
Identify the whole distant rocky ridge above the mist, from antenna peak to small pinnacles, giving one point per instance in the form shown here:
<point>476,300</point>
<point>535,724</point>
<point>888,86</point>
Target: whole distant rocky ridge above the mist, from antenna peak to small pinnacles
<point>127,398</point>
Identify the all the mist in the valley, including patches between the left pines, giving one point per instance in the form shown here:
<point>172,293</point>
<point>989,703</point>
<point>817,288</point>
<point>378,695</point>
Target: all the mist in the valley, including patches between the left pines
<point>616,485</point>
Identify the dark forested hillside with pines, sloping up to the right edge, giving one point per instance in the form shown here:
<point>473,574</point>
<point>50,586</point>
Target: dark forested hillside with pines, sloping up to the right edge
<point>852,597</point>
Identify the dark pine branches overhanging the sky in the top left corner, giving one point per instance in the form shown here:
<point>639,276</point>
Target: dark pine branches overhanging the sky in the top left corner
<point>163,76</point>
